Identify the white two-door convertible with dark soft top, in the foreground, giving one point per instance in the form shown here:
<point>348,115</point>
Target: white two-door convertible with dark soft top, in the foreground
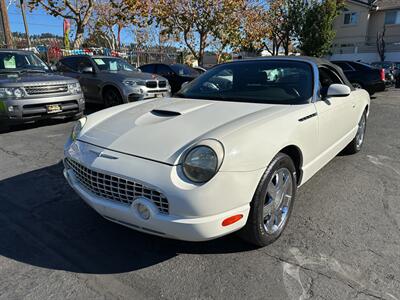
<point>226,154</point>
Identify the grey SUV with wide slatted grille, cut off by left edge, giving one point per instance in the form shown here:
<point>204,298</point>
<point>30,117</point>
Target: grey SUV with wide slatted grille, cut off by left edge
<point>29,91</point>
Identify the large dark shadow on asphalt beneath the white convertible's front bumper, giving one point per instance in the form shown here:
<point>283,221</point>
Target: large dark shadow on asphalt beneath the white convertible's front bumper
<point>45,224</point>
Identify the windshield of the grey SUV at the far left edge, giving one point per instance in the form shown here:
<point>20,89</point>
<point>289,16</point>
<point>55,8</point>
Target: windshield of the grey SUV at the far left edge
<point>15,62</point>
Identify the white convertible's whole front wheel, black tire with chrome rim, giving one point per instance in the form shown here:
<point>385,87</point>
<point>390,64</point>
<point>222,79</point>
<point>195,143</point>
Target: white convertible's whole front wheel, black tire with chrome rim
<point>272,203</point>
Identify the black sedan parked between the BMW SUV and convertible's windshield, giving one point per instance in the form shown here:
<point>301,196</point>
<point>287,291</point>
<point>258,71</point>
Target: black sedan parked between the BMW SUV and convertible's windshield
<point>177,74</point>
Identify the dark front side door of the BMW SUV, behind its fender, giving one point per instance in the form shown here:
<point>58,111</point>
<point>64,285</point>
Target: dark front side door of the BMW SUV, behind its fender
<point>90,82</point>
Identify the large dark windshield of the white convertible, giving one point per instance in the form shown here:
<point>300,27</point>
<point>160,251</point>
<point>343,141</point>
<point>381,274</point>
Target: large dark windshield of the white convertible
<point>269,81</point>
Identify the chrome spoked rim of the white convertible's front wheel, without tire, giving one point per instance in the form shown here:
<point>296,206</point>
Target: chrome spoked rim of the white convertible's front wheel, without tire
<point>277,202</point>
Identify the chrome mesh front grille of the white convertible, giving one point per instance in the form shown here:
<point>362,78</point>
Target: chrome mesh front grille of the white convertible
<point>115,188</point>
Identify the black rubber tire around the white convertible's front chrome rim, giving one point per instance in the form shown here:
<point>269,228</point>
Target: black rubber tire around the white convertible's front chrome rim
<point>255,230</point>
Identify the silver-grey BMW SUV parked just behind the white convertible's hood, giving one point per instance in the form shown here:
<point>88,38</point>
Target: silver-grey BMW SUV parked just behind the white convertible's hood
<point>112,80</point>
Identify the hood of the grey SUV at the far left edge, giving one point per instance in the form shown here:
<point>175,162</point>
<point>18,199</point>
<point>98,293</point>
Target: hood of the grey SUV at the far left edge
<point>15,79</point>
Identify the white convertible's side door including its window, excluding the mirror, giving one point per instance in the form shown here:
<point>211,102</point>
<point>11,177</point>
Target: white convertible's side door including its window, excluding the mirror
<point>335,114</point>
